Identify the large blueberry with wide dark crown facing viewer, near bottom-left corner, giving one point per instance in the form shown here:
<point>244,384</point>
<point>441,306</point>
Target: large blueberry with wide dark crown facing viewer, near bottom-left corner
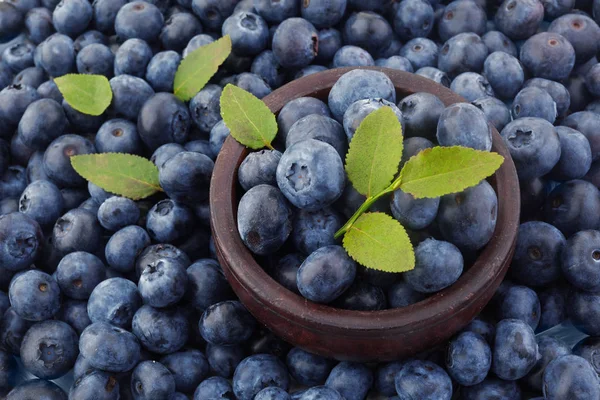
<point>49,349</point>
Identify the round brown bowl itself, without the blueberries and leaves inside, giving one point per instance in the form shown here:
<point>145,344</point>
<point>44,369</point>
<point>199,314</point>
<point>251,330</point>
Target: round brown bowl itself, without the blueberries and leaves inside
<point>359,335</point>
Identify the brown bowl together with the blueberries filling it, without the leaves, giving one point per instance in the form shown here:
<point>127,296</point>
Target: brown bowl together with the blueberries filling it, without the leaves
<point>290,272</point>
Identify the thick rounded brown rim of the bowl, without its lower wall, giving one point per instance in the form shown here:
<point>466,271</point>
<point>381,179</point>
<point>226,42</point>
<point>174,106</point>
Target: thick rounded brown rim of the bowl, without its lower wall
<point>241,265</point>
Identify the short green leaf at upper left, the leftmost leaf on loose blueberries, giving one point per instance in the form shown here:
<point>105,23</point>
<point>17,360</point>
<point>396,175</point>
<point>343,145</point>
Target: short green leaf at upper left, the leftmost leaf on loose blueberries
<point>89,94</point>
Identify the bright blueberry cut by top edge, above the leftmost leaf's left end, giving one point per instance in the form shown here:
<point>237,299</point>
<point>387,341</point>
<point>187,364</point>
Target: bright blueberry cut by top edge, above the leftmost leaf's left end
<point>72,17</point>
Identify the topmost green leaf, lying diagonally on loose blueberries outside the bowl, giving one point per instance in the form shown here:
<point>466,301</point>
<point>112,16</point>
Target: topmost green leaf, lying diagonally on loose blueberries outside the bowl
<point>199,66</point>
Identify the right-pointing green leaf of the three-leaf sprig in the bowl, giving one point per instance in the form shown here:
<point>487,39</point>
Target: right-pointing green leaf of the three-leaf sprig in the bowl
<point>443,170</point>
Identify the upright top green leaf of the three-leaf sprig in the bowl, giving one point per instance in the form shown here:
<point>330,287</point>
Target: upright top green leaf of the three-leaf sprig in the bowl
<point>375,152</point>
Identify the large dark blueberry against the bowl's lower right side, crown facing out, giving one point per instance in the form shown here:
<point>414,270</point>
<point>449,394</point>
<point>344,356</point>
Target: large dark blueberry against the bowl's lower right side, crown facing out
<point>537,259</point>
